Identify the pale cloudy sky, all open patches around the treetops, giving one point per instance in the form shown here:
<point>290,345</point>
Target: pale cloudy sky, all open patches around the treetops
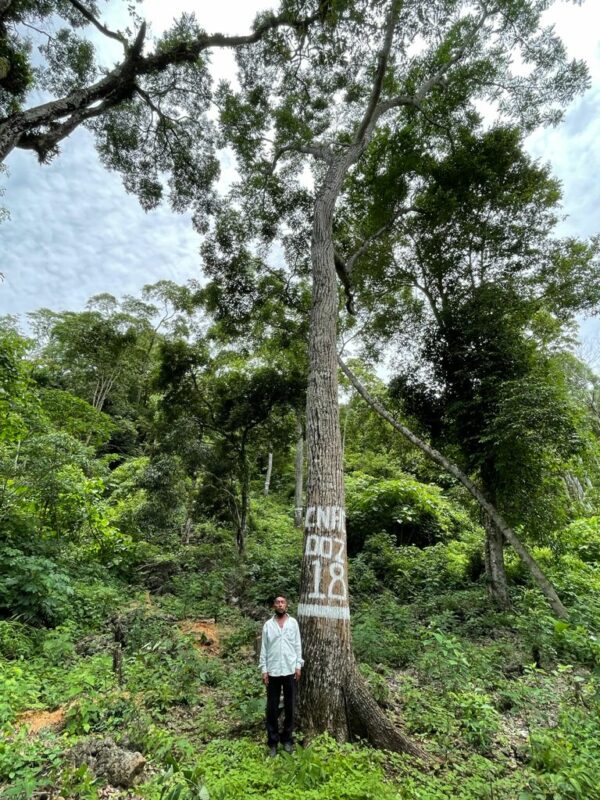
<point>74,232</point>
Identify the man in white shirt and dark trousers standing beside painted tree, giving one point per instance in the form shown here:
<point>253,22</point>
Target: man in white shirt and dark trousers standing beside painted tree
<point>280,663</point>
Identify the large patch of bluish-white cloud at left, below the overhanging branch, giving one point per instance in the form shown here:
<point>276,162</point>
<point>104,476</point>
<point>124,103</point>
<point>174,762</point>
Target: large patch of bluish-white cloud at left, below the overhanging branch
<point>75,232</point>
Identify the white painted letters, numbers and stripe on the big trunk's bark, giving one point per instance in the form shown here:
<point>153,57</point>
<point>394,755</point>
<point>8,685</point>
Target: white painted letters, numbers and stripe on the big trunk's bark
<point>325,552</point>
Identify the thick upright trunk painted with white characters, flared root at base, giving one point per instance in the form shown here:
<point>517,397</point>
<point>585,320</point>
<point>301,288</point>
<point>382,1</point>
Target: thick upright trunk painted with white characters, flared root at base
<point>333,696</point>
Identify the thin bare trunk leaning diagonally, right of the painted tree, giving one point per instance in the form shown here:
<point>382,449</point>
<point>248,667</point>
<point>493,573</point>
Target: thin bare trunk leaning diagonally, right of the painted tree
<point>501,525</point>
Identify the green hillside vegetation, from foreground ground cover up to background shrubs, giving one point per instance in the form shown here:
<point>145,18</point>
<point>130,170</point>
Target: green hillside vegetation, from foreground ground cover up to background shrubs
<point>116,541</point>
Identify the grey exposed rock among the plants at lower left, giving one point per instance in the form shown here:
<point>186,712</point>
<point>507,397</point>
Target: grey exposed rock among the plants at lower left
<point>120,767</point>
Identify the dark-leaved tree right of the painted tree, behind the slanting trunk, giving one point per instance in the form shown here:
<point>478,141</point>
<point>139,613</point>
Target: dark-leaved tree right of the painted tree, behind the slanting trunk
<point>489,291</point>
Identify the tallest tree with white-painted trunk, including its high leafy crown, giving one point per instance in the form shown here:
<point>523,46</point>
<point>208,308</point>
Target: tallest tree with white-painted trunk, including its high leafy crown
<point>326,100</point>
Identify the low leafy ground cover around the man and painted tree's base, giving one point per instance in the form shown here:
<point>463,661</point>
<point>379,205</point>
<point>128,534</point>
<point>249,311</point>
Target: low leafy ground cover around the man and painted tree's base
<point>507,704</point>
